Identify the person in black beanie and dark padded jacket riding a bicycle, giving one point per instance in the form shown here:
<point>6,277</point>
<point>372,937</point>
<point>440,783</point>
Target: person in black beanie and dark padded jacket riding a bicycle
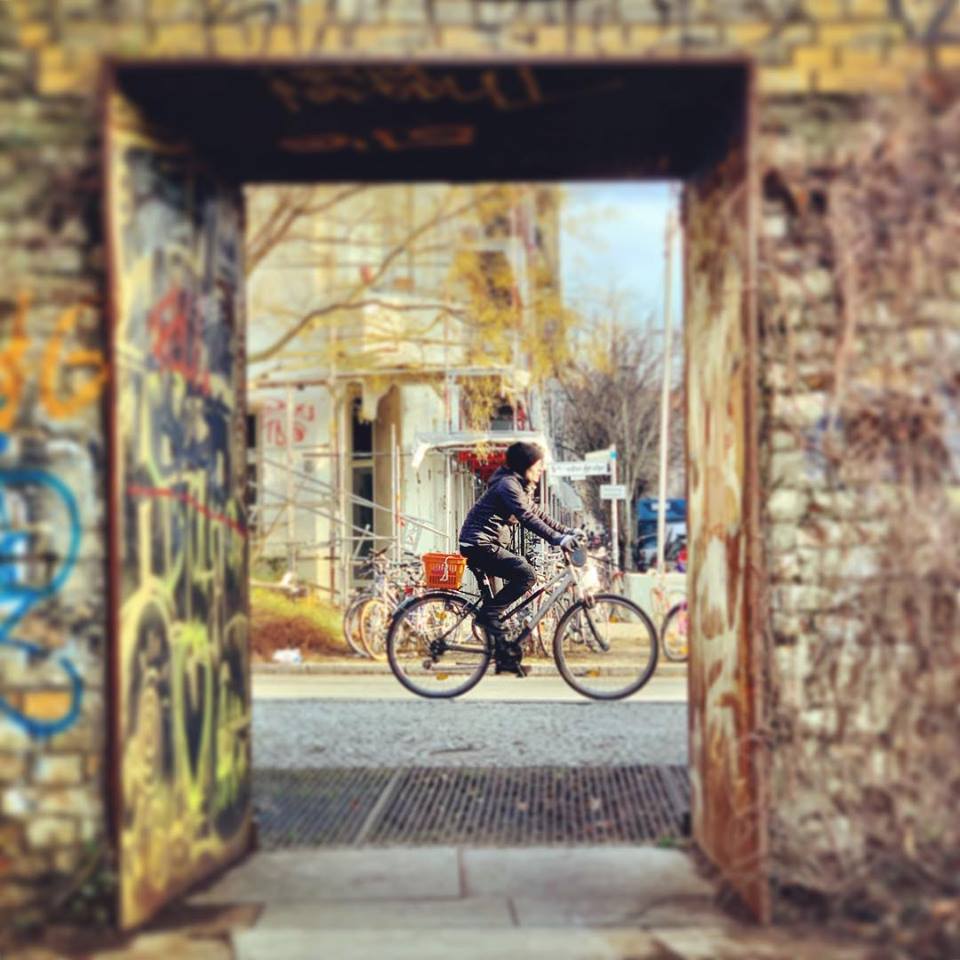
<point>508,499</point>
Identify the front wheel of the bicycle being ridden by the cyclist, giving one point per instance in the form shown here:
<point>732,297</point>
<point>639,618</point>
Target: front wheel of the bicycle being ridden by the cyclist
<point>606,650</point>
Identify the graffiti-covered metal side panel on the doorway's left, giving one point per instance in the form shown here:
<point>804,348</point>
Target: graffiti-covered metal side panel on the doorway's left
<point>181,675</point>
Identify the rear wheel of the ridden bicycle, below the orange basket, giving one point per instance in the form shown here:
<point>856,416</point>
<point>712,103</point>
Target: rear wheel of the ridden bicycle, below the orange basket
<point>432,648</point>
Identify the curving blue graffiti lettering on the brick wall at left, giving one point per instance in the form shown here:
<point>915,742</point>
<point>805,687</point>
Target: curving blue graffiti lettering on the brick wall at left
<point>18,598</point>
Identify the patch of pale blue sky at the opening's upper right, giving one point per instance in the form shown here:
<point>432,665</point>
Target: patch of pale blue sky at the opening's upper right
<point>612,242</point>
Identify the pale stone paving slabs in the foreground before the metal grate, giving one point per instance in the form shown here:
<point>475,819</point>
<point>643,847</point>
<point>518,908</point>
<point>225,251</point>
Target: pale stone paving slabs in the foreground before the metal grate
<point>436,903</point>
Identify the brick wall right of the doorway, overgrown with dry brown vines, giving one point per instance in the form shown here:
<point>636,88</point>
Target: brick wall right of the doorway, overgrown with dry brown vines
<point>864,724</point>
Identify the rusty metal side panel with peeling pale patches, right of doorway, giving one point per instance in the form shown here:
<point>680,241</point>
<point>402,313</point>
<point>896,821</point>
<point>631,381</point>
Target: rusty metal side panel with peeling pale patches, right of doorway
<point>726,771</point>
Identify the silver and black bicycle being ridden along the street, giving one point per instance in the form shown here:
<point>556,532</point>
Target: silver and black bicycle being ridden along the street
<point>604,645</point>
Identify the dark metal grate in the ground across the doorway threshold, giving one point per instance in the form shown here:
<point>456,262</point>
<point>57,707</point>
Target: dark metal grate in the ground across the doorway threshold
<point>473,806</point>
